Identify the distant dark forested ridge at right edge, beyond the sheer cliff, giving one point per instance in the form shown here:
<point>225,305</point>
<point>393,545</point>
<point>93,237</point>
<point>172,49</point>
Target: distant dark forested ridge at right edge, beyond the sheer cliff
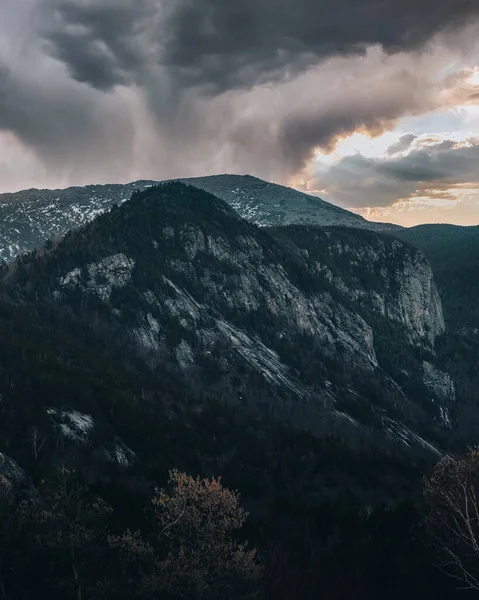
<point>454,255</point>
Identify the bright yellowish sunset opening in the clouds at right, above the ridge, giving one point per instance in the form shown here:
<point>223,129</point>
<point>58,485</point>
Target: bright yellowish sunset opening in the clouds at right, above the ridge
<point>424,170</point>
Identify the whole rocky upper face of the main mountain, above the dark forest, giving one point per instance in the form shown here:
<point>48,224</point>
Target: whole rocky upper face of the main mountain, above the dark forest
<point>290,320</point>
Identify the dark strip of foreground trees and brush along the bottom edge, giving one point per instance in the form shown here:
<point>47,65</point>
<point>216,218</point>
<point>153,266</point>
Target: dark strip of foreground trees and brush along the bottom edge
<point>69,539</point>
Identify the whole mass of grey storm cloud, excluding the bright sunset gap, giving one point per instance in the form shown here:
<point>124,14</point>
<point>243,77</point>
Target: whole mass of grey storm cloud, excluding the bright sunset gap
<point>122,89</point>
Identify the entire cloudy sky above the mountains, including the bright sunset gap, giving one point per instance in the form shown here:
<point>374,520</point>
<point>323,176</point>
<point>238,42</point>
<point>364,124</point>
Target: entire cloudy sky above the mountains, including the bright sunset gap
<point>371,104</point>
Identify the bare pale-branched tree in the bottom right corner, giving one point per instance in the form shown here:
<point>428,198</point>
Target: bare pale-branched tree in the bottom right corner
<point>452,516</point>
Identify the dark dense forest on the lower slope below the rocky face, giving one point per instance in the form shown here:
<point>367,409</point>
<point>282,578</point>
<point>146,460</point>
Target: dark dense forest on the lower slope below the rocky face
<point>316,518</point>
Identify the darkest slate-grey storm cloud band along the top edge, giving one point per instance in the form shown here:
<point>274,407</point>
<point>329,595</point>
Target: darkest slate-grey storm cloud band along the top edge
<point>224,44</point>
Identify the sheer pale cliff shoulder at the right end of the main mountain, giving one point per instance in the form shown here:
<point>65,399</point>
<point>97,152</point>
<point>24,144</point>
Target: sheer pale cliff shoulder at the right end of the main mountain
<point>376,274</point>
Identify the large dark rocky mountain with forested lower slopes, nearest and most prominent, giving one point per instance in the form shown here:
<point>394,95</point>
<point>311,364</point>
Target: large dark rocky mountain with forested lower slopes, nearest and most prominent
<point>307,366</point>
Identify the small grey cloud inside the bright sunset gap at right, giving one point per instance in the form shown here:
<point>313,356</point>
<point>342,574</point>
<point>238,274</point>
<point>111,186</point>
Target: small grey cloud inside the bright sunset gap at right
<point>357,181</point>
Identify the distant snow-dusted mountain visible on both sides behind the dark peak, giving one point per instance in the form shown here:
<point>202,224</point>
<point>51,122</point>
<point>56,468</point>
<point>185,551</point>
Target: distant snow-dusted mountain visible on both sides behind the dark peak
<point>29,218</point>
